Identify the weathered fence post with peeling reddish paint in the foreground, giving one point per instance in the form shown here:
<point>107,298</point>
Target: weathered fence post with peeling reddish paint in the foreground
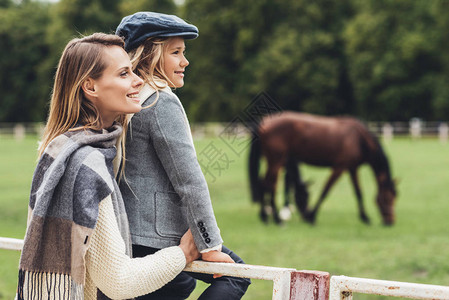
<point>313,285</point>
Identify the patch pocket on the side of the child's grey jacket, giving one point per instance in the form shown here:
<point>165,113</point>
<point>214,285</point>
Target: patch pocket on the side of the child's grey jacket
<point>170,220</point>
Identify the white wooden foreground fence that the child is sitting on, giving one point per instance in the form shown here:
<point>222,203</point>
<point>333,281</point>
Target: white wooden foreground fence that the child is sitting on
<point>304,285</point>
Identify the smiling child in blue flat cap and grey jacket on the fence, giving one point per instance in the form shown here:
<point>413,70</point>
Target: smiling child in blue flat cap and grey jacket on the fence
<point>164,189</point>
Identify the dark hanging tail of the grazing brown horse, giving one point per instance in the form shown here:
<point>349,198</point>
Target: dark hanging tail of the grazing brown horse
<point>254,167</point>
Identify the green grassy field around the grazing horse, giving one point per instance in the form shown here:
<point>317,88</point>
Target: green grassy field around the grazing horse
<point>414,250</point>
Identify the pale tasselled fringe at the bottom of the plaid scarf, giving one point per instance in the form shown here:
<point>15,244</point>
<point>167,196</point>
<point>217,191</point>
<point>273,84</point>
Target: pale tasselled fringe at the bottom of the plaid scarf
<point>45,285</point>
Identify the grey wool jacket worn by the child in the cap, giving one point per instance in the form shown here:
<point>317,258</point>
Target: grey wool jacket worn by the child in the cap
<point>164,189</point>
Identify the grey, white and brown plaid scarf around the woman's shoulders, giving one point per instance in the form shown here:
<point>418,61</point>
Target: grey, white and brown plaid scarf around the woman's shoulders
<point>71,178</point>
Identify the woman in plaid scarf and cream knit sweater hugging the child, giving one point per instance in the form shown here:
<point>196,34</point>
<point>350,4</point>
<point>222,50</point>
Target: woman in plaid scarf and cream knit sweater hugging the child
<point>77,241</point>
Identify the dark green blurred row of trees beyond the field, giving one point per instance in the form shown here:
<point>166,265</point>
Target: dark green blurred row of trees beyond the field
<point>380,60</point>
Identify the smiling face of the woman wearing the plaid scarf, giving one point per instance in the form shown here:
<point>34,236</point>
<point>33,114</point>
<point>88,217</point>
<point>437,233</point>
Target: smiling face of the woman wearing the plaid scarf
<point>117,90</point>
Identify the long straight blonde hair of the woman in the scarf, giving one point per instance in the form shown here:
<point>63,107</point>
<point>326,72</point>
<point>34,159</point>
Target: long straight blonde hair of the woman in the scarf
<point>81,59</point>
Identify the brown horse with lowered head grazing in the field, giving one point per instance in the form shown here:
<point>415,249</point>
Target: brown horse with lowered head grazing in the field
<point>341,143</point>
